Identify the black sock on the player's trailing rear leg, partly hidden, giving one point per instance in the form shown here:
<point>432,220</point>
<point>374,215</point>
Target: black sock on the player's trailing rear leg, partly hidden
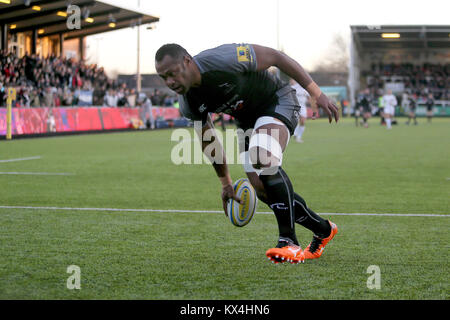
<point>309,219</point>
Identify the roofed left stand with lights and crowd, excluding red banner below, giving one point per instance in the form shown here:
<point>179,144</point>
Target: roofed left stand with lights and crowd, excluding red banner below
<point>40,50</point>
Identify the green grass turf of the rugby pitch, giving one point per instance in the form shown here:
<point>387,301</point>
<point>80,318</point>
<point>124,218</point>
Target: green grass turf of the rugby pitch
<point>339,168</point>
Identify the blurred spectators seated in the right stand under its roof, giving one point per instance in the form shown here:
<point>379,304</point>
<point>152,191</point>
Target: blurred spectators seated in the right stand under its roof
<point>419,80</point>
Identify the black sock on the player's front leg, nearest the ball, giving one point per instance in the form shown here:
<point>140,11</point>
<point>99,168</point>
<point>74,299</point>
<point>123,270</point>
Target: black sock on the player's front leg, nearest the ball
<point>280,198</point>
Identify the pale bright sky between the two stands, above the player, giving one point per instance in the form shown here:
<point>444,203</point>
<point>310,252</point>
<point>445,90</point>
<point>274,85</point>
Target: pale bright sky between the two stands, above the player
<point>305,27</point>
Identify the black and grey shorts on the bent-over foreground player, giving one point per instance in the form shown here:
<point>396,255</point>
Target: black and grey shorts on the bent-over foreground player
<point>285,108</point>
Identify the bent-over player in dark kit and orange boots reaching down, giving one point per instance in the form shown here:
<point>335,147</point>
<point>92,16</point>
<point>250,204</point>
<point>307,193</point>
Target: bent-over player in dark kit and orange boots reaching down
<point>233,79</point>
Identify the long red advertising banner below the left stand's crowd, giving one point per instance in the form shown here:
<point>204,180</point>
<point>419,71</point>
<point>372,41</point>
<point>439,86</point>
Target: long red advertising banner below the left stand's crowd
<point>47,120</point>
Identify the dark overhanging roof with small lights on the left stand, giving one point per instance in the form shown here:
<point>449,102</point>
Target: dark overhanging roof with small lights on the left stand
<point>48,17</point>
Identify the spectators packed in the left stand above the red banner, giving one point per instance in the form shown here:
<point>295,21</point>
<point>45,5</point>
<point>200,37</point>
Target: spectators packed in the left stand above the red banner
<point>54,81</point>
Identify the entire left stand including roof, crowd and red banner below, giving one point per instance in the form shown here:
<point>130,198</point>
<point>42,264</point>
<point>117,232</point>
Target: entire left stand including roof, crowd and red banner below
<point>43,61</point>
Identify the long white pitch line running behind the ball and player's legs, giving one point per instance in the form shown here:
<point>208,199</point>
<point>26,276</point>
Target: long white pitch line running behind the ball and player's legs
<point>218,211</point>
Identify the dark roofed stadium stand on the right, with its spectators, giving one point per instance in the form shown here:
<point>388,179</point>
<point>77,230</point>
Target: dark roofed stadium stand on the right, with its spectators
<point>412,61</point>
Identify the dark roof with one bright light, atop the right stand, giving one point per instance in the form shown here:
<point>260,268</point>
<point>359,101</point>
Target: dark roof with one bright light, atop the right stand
<point>413,37</point>
